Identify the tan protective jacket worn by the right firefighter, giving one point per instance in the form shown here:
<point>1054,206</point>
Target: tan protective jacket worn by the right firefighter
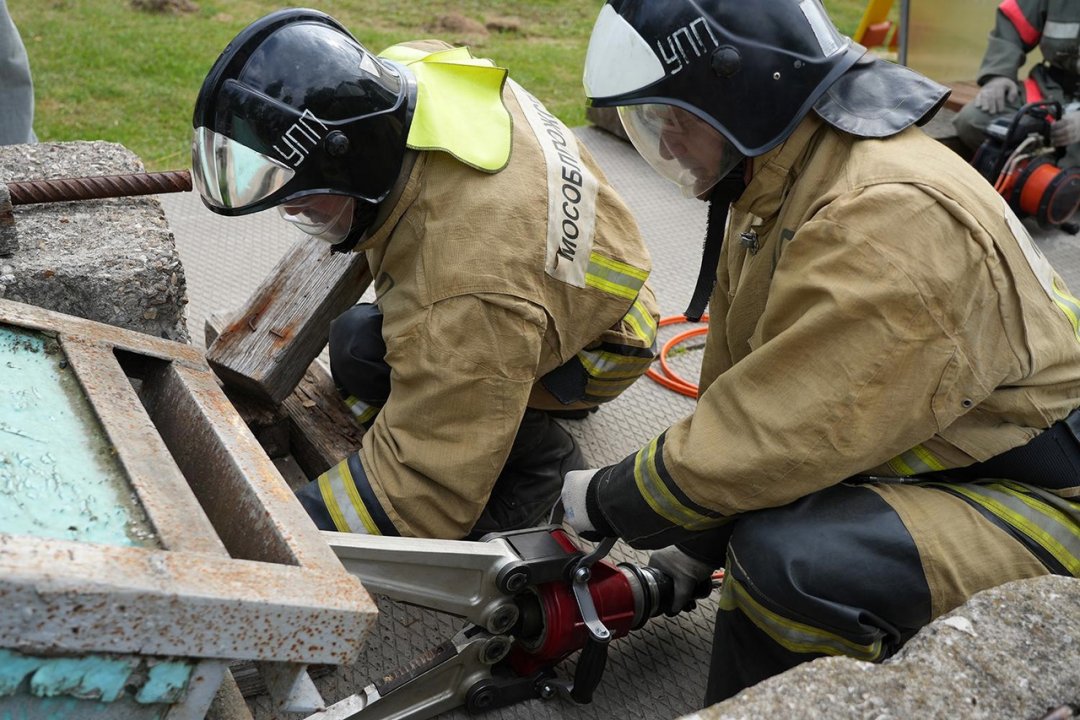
<point>879,311</point>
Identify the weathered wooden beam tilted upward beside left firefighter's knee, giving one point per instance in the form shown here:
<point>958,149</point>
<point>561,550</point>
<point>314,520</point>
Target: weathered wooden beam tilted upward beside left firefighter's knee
<point>273,341</point>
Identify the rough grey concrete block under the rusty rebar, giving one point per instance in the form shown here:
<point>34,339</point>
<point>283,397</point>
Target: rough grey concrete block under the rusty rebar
<point>111,261</point>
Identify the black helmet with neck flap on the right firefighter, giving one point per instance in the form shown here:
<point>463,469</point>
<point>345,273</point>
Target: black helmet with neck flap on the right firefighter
<point>739,76</point>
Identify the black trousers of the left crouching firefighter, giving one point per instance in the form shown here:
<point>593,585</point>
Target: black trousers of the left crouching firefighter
<point>528,490</point>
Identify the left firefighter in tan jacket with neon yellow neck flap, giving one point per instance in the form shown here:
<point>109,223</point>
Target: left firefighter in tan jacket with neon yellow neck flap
<point>510,279</point>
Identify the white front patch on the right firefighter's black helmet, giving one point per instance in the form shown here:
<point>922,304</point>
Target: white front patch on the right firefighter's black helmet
<point>619,61</point>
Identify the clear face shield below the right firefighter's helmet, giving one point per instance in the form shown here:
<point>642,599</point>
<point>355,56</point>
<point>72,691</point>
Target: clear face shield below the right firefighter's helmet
<point>679,145</point>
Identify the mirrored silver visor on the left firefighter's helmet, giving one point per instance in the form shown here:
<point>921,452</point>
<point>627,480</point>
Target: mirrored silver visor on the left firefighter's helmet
<point>229,175</point>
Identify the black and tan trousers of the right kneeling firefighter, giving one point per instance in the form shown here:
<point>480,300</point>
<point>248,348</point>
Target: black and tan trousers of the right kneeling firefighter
<point>857,569</point>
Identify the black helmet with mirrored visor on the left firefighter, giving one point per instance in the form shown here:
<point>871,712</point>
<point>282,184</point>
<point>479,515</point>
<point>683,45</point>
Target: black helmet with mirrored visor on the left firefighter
<point>296,114</point>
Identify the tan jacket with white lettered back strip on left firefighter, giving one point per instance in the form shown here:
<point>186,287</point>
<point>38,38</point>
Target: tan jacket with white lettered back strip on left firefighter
<point>487,283</point>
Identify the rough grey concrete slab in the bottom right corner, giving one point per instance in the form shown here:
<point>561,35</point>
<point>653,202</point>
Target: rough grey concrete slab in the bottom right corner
<point>1009,653</point>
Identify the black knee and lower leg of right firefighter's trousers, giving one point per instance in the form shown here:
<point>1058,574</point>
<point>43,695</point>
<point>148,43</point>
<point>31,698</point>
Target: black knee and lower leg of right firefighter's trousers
<point>835,573</point>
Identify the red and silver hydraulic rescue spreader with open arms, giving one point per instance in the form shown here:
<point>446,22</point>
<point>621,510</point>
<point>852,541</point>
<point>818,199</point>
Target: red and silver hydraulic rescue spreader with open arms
<point>531,597</point>
